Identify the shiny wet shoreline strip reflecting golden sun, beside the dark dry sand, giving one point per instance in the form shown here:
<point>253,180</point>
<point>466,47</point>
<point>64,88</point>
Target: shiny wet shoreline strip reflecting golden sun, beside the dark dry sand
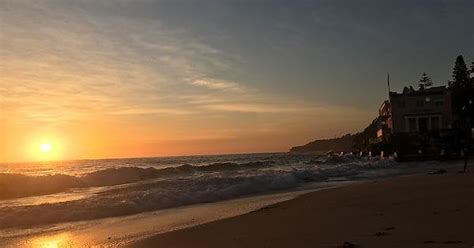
<point>123,230</point>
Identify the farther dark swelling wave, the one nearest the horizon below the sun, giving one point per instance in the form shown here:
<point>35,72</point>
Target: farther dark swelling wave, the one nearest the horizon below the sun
<point>18,185</point>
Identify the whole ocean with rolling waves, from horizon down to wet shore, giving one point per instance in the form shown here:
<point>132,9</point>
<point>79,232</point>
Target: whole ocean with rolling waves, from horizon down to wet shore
<point>40,197</point>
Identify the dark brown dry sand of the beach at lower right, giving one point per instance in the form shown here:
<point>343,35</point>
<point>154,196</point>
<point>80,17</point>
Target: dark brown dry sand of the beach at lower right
<point>409,211</point>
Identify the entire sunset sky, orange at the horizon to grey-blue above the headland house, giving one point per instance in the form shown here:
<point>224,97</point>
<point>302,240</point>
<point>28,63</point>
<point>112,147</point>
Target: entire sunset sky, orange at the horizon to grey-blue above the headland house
<point>123,78</point>
